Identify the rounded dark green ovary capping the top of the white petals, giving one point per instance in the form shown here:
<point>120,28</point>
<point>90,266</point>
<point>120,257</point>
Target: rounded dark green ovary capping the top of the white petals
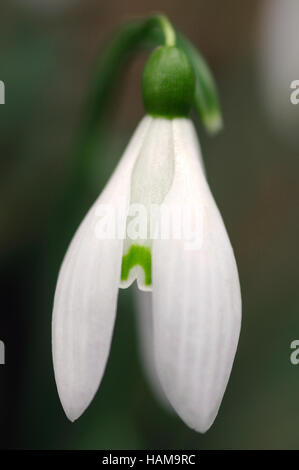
<point>168,83</point>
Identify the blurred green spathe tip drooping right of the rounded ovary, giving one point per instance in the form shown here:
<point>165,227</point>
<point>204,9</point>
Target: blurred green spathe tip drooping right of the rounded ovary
<point>206,99</point>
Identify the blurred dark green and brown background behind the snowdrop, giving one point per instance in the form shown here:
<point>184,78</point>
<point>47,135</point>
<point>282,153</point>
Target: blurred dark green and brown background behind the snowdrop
<point>48,50</point>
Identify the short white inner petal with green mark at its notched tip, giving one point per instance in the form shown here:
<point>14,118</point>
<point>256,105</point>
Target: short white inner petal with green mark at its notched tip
<point>151,180</point>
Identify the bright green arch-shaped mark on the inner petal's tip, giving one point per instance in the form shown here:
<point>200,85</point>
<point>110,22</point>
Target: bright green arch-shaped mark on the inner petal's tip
<point>137,255</point>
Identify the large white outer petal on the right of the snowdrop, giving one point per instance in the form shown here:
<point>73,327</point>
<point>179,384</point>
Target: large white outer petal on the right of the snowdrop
<point>196,297</point>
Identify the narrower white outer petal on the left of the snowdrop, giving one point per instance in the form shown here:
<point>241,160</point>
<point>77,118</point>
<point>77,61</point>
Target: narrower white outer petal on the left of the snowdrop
<point>86,295</point>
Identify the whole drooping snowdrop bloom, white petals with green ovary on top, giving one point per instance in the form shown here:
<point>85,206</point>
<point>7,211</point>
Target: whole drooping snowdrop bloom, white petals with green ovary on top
<point>192,308</point>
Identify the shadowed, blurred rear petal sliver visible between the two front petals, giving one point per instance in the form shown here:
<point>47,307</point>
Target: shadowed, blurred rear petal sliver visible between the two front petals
<point>146,343</point>
